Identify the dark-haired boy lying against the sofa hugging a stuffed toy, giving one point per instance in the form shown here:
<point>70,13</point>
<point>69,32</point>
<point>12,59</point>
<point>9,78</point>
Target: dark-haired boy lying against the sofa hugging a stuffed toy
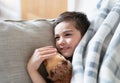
<point>69,28</point>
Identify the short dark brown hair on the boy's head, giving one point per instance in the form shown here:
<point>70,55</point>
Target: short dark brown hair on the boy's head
<point>79,19</point>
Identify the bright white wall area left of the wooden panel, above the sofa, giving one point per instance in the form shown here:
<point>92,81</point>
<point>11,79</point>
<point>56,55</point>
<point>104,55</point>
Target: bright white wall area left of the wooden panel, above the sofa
<point>10,9</point>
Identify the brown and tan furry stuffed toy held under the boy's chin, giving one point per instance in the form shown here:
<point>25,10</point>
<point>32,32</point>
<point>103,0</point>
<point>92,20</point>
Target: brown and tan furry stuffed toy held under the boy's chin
<point>59,69</point>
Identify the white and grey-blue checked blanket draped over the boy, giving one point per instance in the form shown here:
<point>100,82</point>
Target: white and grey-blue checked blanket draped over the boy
<point>97,57</point>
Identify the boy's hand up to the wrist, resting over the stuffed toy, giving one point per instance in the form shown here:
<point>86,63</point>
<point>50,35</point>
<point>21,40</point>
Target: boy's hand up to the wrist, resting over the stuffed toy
<point>39,56</point>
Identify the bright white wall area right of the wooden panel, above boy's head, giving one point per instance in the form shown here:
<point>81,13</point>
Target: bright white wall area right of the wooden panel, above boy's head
<point>86,6</point>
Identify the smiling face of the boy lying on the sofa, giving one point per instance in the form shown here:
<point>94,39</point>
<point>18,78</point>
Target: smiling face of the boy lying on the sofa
<point>67,38</point>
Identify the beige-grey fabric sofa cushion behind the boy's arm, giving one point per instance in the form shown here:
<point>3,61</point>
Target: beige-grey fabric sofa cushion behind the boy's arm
<point>18,40</point>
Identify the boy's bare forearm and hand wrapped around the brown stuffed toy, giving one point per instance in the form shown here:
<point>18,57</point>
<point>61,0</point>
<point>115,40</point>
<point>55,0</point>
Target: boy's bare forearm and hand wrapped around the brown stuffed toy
<point>36,60</point>
